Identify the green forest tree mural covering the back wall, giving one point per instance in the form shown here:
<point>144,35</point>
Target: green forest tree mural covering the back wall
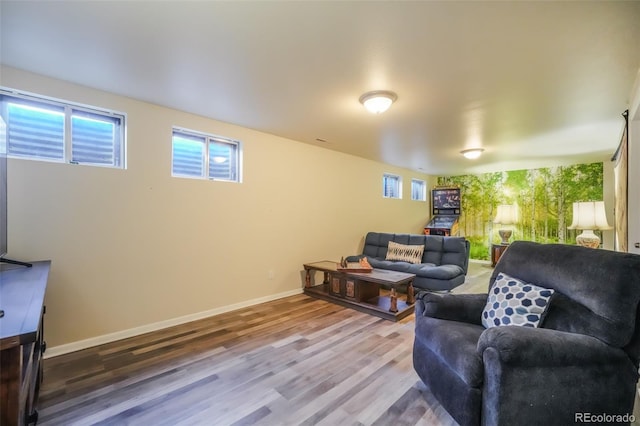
<point>544,199</point>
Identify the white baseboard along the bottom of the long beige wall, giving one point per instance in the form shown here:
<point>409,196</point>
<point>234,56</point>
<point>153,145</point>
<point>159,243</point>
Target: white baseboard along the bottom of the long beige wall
<point>124,334</point>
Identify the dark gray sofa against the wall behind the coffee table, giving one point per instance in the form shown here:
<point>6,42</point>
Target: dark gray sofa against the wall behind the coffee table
<point>444,262</point>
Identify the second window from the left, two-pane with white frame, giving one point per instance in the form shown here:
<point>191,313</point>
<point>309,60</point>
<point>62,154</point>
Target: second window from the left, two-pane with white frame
<point>202,156</point>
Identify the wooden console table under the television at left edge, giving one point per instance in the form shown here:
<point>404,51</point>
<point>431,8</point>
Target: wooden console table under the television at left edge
<point>22,343</point>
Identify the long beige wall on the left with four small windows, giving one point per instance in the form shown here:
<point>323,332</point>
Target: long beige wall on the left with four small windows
<point>135,247</point>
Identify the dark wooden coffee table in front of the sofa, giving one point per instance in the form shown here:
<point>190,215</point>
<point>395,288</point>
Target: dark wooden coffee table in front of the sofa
<point>361,290</point>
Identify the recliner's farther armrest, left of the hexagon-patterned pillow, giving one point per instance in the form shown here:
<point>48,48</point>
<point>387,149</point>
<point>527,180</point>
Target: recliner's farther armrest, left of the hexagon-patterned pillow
<point>454,307</point>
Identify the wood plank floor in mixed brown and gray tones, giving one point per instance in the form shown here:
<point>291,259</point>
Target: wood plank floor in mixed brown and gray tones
<point>297,360</point>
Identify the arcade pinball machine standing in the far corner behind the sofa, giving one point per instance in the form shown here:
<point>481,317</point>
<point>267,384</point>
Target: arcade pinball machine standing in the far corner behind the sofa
<point>446,210</point>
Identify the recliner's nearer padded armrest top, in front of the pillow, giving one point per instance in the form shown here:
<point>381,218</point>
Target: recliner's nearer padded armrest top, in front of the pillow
<point>542,347</point>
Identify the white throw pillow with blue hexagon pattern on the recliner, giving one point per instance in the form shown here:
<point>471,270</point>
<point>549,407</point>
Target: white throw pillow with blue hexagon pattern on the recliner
<point>513,302</point>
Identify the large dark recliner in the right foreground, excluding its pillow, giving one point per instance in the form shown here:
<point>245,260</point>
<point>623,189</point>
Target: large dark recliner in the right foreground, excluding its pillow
<point>583,360</point>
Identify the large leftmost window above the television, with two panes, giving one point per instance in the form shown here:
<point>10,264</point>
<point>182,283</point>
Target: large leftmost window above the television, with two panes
<point>54,130</point>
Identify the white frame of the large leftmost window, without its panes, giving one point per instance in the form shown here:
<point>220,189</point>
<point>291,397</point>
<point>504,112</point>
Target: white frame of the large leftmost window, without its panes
<point>69,110</point>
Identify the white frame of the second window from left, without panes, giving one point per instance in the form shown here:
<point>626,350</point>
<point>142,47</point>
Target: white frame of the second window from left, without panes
<point>208,139</point>
